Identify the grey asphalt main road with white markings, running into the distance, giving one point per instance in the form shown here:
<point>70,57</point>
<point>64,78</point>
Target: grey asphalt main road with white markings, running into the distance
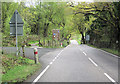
<point>77,63</point>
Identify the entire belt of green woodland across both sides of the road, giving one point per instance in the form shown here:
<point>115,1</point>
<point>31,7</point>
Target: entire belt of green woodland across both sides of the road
<point>101,20</point>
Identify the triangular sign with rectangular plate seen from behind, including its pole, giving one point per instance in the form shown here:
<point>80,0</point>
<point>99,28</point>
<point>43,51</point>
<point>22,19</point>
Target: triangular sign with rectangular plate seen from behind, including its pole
<point>16,27</point>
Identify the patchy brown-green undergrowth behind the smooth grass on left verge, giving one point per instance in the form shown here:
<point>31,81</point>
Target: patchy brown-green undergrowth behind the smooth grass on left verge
<point>10,61</point>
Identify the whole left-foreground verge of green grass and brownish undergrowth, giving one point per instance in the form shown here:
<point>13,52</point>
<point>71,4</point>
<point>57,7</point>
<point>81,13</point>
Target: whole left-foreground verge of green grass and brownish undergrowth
<point>17,69</point>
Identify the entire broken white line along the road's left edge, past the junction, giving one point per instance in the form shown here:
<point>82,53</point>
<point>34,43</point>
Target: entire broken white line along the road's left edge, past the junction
<point>40,75</point>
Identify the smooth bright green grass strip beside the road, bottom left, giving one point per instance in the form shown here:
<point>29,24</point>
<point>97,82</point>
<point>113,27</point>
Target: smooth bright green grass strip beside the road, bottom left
<point>19,73</point>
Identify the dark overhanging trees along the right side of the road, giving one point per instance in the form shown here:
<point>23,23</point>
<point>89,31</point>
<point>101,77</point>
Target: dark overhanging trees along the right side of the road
<point>104,27</point>
